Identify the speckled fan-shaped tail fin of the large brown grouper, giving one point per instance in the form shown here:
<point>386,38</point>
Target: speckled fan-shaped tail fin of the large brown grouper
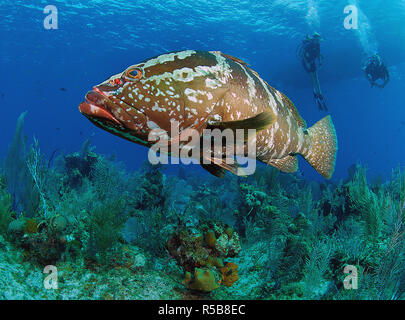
<point>321,154</point>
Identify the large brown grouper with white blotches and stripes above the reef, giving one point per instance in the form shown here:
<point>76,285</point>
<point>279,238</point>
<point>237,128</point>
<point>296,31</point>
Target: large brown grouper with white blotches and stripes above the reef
<point>200,90</point>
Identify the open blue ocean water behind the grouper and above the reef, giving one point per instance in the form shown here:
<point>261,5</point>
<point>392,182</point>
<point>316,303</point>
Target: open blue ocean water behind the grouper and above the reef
<point>96,39</point>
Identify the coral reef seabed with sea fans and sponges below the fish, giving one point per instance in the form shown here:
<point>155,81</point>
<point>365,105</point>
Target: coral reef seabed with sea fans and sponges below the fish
<point>115,234</point>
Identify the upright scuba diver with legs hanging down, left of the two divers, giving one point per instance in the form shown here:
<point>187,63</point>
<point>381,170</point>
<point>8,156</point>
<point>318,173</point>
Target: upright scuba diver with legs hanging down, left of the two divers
<point>310,53</point>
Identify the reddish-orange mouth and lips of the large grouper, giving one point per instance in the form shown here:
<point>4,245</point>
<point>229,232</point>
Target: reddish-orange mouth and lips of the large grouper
<point>97,106</point>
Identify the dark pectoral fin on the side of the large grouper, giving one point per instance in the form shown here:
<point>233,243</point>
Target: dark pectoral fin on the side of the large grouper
<point>258,122</point>
